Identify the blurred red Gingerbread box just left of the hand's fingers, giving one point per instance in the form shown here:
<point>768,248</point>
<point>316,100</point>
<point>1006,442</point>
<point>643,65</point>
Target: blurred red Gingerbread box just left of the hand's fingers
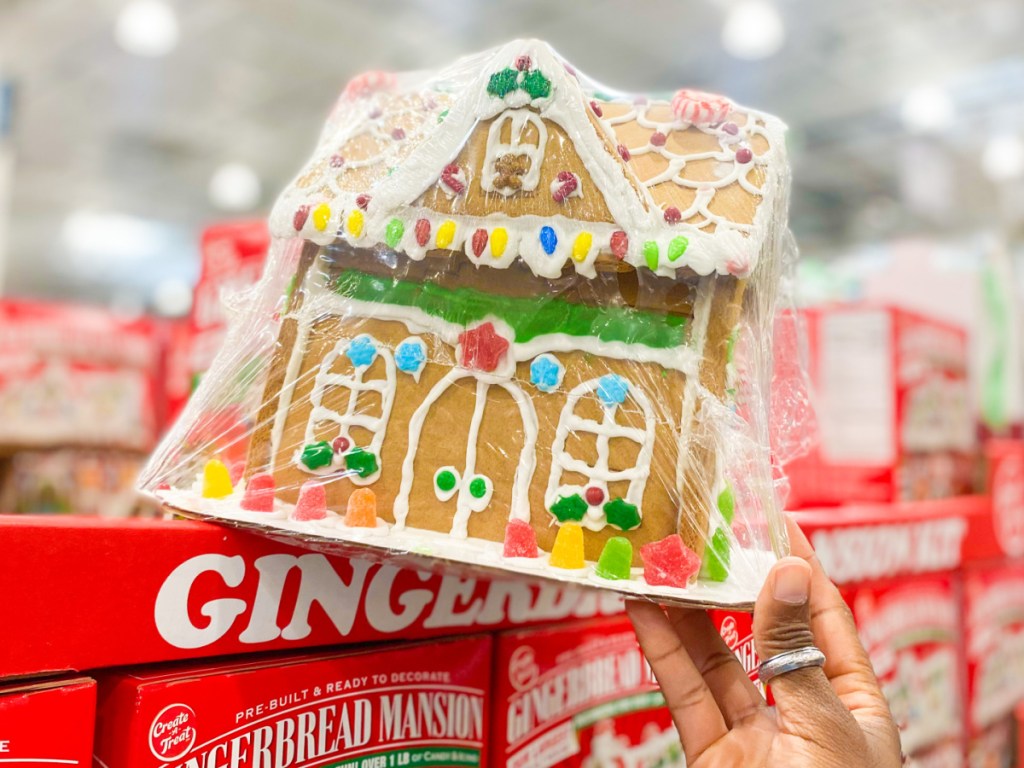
<point>579,695</point>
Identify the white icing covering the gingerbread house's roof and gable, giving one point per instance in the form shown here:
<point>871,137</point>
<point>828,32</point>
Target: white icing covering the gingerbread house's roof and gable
<point>438,144</point>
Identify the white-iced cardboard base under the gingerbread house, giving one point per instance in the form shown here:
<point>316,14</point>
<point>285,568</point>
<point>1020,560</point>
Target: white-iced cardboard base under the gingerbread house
<point>440,553</point>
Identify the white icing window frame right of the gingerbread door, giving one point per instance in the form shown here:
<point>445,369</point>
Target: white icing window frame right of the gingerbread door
<point>601,476</point>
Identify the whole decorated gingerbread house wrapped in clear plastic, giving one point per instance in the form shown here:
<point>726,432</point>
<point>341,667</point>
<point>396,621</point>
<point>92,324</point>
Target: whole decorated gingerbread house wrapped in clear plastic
<point>511,320</point>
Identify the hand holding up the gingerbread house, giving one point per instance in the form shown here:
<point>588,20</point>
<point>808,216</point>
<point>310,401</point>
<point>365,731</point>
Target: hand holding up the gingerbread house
<point>834,717</point>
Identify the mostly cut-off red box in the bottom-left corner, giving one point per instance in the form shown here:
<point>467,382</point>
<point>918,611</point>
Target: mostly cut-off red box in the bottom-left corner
<point>48,723</point>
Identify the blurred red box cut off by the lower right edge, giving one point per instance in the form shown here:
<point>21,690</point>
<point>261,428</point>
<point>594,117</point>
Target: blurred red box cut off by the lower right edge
<point>994,626</point>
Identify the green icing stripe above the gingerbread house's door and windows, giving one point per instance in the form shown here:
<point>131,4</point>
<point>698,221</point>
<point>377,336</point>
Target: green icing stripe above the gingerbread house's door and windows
<point>530,318</point>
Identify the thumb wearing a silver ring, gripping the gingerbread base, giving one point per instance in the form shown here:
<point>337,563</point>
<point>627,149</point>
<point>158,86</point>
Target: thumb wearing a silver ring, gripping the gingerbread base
<point>806,704</point>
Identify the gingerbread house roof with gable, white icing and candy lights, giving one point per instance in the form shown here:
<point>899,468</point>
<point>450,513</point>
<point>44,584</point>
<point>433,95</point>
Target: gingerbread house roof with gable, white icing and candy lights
<point>514,155</point>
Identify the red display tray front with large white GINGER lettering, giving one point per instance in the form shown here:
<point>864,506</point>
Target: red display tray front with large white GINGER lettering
<point>90,593</point>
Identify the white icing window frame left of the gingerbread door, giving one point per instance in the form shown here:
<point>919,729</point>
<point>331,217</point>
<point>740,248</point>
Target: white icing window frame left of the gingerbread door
<point>356,385</point>
